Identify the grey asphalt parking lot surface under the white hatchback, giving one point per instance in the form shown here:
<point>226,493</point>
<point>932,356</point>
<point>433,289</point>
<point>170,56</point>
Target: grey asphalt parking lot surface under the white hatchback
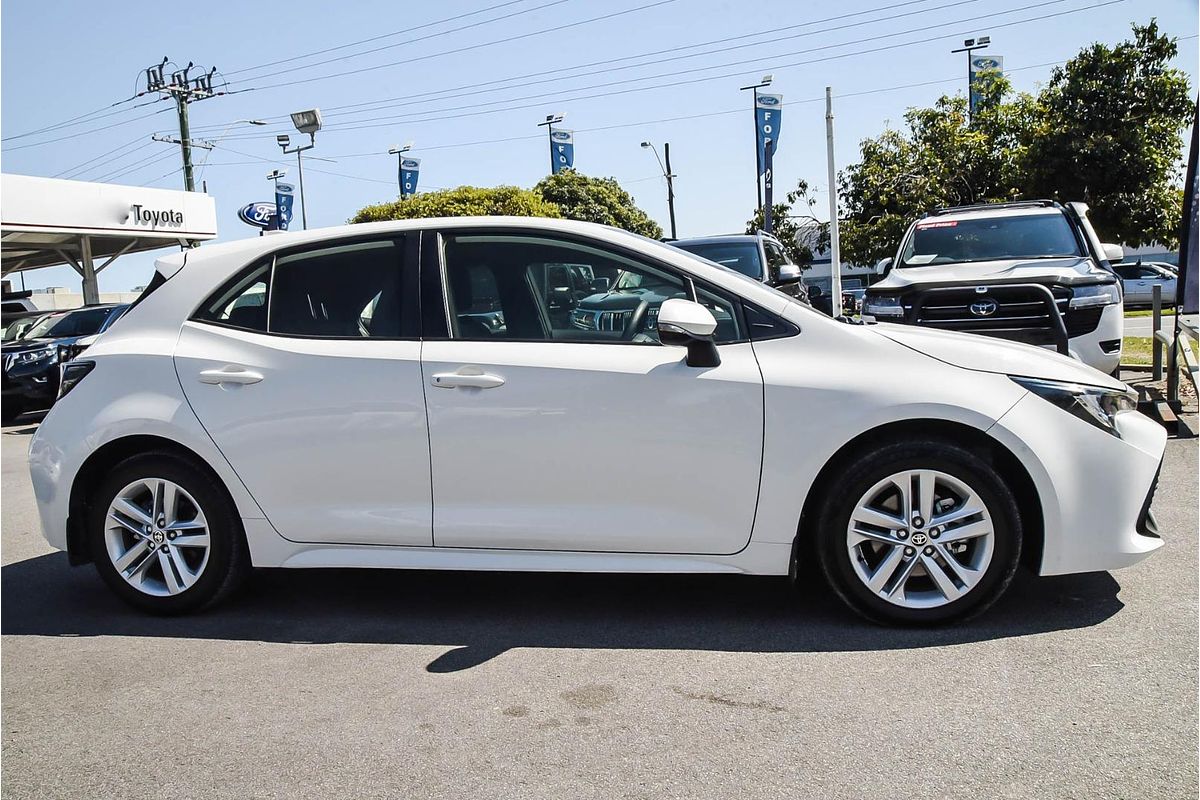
<point>375,684</point>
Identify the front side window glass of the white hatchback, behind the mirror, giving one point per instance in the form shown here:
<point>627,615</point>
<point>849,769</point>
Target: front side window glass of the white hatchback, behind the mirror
<point>529,288</point>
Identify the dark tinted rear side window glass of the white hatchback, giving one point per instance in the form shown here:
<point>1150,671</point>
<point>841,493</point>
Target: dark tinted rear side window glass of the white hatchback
<point>340,292</point>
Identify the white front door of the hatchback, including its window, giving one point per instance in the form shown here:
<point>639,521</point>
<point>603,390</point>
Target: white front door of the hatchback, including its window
<point>587,434</point>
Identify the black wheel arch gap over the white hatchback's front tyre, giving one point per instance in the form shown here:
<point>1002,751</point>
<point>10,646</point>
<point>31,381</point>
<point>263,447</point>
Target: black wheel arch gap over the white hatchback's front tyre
<point>1025,492</point>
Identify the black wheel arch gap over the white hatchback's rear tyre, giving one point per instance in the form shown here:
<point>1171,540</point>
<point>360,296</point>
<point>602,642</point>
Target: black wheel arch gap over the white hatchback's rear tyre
<point>105,459</point>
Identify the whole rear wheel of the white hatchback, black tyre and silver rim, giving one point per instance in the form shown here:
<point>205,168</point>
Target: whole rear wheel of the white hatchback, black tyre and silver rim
<point>166,537</point>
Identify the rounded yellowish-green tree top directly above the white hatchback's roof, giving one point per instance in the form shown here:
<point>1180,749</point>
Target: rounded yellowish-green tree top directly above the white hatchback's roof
<point>463,202</point>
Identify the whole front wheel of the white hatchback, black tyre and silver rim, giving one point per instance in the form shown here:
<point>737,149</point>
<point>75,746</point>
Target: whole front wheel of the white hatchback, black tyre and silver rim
<point>920,533</point>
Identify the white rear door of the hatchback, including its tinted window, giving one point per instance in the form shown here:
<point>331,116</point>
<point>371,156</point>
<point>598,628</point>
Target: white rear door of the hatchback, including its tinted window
<point>302,372</point>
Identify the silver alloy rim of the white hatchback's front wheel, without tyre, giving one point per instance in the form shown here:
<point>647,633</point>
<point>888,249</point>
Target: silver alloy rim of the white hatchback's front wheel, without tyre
<point>921,539</point>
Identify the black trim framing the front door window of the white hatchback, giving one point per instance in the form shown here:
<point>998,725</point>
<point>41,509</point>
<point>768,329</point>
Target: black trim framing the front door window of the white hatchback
<point>629,254</point>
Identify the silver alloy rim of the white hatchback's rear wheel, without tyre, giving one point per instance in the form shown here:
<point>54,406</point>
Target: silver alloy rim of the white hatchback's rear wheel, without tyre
<point>157,537</point>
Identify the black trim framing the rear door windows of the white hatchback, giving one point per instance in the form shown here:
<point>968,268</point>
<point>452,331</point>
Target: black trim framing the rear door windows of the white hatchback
<point>405,240</point>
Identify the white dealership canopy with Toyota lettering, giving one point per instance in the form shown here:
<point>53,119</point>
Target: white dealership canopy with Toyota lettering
<point>47,222</point>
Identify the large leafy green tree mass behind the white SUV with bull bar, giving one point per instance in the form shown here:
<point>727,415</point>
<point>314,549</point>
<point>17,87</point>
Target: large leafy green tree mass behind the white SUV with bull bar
<point>1107,131</point>
